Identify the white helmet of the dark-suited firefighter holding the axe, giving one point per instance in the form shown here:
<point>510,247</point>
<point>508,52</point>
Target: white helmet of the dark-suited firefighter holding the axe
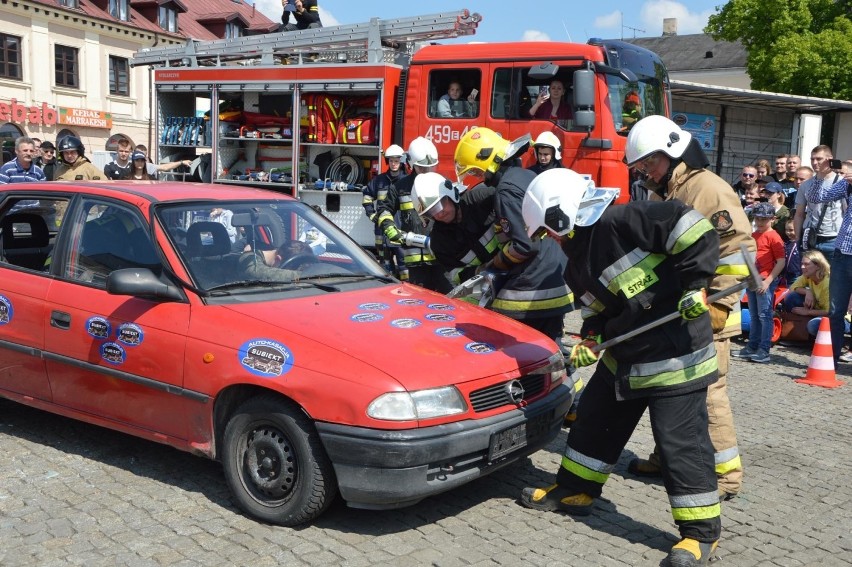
<point>560,199</point>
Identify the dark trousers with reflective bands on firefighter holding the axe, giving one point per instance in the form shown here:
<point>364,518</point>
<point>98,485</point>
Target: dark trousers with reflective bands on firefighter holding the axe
<point>679,424</point>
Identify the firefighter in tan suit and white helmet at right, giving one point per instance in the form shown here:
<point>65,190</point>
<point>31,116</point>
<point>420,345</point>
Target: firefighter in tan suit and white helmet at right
<point>673,165</point>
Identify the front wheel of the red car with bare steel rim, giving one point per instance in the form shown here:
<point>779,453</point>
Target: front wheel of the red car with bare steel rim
<point>275,464</point>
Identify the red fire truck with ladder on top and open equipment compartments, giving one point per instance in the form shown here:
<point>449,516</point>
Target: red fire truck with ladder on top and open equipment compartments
<point>309,112</point>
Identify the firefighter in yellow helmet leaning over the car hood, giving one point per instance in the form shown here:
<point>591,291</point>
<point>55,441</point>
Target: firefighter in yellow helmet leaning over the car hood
<point>533,290</point>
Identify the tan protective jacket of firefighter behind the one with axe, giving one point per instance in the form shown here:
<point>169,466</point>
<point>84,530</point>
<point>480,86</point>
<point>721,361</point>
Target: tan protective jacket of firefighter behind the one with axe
<point>711,196</point>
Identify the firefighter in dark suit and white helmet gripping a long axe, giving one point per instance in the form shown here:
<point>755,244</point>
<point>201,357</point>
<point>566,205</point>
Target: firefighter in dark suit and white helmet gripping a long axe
<point>631,265</point>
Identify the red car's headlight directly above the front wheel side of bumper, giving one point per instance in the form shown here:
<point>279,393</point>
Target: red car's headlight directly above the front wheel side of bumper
<point>422,404</point>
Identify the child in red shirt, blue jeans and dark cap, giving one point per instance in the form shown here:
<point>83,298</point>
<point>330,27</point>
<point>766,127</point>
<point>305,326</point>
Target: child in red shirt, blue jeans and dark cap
<point>770,263</point>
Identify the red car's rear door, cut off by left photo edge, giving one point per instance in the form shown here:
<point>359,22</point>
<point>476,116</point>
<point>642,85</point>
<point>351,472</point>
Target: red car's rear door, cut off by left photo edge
<point>27,233</point>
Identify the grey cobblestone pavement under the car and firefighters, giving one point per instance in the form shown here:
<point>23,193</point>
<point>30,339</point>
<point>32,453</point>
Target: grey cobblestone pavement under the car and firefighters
<point>75,494</point>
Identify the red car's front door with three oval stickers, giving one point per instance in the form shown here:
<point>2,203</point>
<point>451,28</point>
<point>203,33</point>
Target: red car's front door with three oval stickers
<point>116,357</point>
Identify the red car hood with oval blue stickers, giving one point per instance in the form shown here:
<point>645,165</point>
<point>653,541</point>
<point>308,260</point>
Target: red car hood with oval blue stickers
<point>415,336</point>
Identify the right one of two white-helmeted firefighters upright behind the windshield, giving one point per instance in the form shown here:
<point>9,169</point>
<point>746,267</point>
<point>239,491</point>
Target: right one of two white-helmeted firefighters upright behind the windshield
<point>398,221</point>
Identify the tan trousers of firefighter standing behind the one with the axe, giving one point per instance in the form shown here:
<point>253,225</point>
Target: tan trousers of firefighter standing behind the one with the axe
<point>723,433</point>
